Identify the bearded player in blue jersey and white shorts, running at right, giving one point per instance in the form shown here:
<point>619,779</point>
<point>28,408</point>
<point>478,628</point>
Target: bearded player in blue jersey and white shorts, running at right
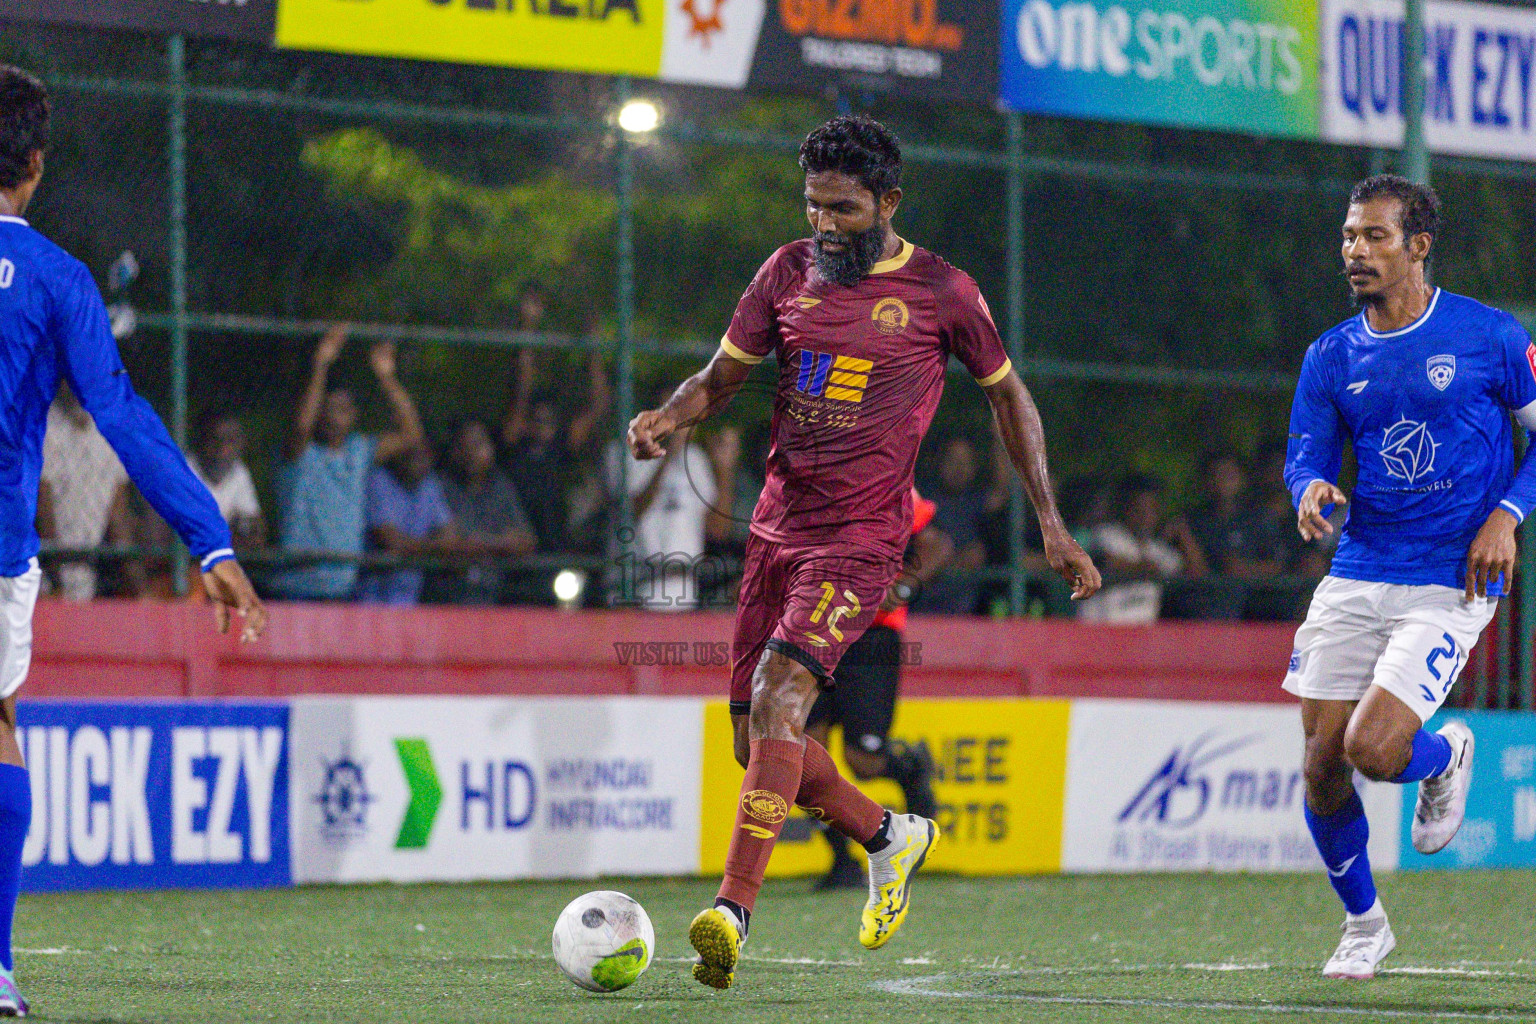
<point>1423,385</point>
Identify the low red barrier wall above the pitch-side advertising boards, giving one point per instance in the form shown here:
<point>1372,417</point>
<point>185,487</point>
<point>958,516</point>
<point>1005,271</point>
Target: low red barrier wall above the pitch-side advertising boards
<point>154,650</point>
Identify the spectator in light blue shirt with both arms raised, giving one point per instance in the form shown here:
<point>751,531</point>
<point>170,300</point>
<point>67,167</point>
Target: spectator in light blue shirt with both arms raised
<point>328,469</point>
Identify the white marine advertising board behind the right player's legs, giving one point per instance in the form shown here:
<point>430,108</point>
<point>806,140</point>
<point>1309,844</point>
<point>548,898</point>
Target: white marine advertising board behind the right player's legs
<point>1168,785</point>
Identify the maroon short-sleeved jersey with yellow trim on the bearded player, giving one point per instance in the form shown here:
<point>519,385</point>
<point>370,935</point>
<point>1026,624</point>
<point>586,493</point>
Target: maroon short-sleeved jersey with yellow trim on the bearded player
<point>861,372</point>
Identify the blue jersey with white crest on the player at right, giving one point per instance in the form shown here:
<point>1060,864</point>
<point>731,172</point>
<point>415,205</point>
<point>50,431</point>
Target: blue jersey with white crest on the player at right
<point>1428,411</point>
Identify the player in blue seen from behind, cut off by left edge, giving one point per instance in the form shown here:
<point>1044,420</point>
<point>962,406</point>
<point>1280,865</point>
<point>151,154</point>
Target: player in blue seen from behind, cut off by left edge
<point>55,325</point>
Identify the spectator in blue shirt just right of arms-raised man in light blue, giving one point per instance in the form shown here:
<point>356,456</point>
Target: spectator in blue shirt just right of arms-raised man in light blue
<point>408,517</point>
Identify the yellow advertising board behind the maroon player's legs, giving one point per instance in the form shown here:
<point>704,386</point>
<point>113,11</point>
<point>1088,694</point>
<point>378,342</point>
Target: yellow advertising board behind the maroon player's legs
<point>1001,784</point>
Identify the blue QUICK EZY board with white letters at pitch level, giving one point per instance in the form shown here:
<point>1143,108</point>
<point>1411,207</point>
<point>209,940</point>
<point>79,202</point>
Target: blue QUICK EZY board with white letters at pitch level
<point>156,794</point>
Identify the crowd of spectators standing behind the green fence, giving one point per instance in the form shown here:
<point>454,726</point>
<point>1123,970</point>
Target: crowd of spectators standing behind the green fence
<point>523,510</point>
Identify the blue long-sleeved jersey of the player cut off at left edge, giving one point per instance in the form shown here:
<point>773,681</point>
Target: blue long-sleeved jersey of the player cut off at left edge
<point>53,323</point>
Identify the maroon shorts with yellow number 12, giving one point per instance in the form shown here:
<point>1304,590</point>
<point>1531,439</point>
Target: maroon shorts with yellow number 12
<point>806,603</point>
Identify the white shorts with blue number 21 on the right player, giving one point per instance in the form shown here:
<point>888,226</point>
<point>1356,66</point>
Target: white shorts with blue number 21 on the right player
<point>1409,641</point>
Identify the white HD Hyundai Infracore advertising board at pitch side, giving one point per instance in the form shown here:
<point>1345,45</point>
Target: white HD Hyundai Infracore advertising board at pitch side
<point>474,788</point>
